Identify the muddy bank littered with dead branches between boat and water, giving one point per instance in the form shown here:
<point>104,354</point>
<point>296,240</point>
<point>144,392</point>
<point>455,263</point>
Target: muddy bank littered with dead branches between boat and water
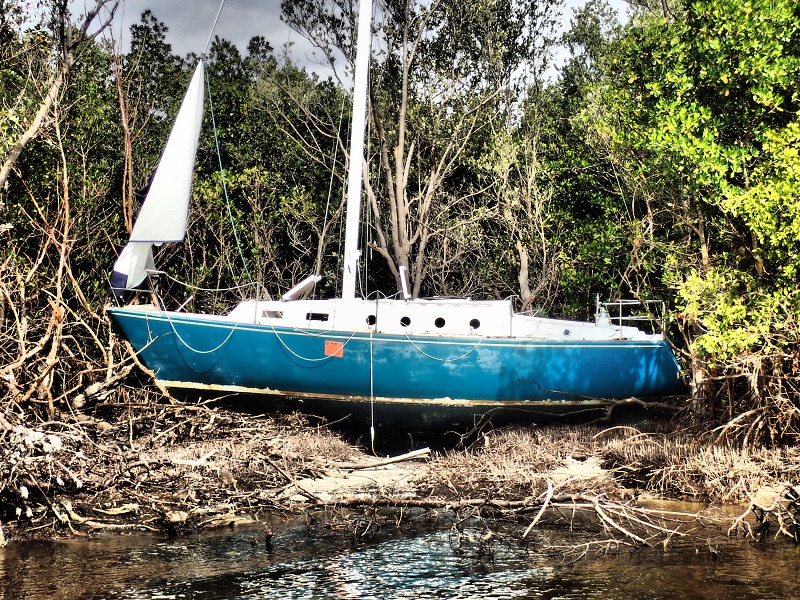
<point>176,467</point>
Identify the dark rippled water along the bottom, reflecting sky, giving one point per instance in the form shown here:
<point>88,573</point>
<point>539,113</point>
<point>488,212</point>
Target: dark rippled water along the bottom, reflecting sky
<point>318,563</point>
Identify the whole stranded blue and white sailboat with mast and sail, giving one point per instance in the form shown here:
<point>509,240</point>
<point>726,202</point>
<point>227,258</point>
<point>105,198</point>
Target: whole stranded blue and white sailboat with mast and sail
<point>408,363</point>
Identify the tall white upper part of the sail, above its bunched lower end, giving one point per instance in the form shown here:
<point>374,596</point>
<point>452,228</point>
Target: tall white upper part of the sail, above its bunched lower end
<point>164,212</point>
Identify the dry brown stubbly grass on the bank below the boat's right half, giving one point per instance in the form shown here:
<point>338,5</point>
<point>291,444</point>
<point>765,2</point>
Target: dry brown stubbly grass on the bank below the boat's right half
<point>519,461</point>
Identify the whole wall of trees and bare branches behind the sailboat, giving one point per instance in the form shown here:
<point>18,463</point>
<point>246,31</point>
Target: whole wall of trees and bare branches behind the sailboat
<point>660,160</point>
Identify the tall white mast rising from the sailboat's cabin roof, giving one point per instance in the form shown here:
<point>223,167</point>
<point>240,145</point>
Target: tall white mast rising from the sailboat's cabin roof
<point>352,220</point>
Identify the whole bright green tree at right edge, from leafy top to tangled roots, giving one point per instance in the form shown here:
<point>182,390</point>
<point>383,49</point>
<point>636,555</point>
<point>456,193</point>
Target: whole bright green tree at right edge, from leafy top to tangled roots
<point>700,114</point>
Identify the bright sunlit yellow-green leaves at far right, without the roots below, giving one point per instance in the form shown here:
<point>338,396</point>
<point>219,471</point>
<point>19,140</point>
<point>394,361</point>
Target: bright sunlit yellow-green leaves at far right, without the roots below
<point>710,100</point>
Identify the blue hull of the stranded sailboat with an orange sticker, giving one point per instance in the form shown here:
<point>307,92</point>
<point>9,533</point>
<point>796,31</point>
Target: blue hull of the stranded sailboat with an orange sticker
<point>194,352</point>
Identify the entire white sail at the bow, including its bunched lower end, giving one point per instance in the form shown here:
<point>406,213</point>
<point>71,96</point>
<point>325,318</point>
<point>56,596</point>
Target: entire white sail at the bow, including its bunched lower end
<point>163,215</point>
